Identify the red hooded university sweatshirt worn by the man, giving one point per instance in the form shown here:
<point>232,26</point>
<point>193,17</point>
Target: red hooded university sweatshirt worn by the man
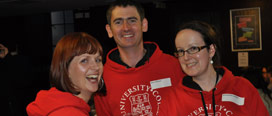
<point>138,91</point>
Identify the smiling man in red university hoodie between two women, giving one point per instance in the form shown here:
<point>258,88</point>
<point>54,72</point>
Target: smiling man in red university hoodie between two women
<point>137,74</point>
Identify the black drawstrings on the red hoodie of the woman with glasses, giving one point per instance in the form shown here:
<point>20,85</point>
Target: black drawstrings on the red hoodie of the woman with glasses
<point>213,97</point>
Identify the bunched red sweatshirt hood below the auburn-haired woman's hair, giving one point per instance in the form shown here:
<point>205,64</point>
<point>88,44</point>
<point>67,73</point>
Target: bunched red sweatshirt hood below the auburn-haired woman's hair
<point>48,101</point>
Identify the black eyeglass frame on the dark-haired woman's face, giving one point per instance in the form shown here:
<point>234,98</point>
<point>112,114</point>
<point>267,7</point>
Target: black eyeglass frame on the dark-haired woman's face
<point>199,48</point>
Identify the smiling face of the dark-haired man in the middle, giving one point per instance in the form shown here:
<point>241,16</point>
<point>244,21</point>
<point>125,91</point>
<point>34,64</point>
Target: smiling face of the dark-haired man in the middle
<point>126,27</point>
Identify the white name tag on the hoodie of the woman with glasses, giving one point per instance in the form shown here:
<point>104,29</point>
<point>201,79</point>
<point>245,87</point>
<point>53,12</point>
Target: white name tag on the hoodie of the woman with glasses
<point>233,98</point>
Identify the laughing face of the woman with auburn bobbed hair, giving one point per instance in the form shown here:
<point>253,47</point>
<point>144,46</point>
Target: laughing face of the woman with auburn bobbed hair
<point>85,72</point>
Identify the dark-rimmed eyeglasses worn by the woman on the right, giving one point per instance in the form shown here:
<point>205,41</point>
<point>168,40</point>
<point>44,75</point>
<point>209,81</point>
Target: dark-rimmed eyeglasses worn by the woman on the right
<point>192,50</point>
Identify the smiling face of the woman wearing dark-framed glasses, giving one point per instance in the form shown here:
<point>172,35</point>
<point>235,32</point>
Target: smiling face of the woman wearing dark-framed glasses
<point>198,63</point>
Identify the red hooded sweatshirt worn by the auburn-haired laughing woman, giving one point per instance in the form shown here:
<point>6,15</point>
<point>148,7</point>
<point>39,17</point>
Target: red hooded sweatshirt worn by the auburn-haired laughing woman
<point>57,103</point>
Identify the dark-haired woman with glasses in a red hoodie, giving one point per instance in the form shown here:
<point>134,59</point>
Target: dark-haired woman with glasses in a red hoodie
<point>208,89</point>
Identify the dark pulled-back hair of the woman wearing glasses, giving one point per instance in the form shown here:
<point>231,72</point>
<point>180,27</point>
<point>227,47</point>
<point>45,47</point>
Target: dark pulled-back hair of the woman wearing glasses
<point>209,34</point>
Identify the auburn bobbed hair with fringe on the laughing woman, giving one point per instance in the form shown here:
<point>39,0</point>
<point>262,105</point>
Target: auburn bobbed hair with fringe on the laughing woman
<point>70,45</point>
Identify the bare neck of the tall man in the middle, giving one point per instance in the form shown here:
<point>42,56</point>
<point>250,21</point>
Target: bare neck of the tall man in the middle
<point>132,56</point>
